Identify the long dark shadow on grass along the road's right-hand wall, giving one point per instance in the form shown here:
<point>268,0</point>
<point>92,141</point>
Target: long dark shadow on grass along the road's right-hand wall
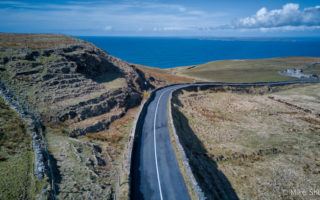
<point>211,180</point>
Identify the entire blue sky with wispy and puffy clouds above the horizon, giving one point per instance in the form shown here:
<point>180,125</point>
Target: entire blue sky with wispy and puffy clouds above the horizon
<point>223,18</point>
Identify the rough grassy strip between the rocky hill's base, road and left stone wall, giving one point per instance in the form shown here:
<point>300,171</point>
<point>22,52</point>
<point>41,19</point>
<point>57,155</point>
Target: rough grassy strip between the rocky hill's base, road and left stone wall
<point>78,176</point>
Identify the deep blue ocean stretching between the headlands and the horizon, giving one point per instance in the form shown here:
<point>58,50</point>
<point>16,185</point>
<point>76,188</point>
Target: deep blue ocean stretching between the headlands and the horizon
<point>166,52</point>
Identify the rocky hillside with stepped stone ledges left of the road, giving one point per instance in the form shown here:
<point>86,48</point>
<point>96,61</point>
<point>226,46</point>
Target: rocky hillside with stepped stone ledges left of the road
<point>69,81</point>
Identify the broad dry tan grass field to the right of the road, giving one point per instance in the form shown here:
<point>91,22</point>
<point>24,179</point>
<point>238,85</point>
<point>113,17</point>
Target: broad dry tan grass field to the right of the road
<point>266,149</point>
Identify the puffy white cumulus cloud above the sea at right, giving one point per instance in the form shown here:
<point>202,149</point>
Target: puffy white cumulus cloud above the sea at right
<point>290,17</point>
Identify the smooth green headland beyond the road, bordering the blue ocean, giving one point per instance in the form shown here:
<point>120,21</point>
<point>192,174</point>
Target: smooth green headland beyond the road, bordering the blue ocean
<point>249,70</point>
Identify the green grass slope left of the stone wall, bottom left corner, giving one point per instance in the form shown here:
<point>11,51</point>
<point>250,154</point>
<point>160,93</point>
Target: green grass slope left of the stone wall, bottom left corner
<point>16,158</point>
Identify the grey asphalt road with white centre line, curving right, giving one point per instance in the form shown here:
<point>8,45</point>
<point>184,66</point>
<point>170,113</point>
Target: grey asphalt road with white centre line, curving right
<point>155,173</point>
